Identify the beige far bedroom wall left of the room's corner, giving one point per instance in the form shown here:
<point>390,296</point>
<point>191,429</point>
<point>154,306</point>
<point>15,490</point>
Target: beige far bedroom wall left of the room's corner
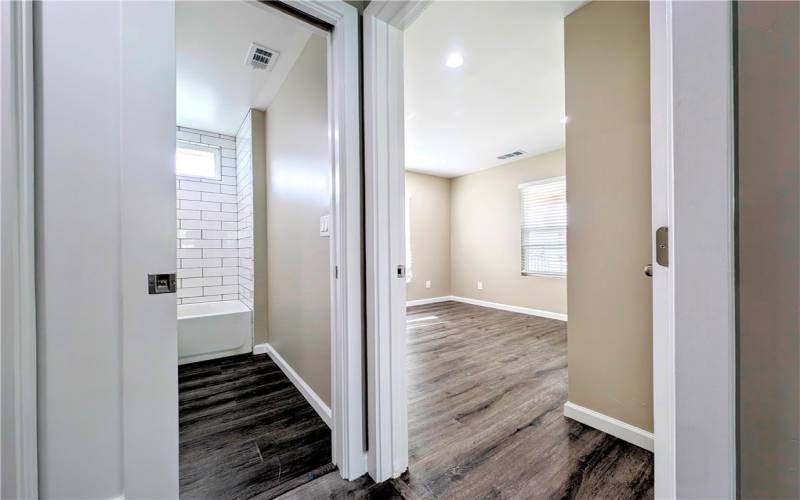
<point>429,198</point>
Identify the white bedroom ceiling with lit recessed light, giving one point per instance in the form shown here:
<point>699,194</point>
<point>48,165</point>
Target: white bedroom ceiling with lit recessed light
<point>508,94</point>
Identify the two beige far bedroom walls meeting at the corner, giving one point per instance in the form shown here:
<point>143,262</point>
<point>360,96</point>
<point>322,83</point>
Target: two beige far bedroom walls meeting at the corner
<point>467,229</point>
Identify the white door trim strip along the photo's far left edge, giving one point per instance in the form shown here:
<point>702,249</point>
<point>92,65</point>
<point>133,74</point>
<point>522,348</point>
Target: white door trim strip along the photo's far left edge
<point>18,456</point>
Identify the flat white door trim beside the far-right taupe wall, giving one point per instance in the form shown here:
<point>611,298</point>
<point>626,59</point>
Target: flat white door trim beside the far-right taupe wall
<point>703,249</point>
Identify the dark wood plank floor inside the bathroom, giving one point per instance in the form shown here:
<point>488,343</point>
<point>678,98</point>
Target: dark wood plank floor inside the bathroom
<point>246,431</point>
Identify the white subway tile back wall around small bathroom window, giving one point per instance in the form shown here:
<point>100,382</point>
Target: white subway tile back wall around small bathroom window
<point>208,223</point>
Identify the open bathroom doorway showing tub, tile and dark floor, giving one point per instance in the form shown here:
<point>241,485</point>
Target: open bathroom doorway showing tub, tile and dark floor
<point>254,281</point>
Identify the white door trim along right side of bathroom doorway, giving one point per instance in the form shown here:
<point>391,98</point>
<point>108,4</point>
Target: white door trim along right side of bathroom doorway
<point>347,381</point>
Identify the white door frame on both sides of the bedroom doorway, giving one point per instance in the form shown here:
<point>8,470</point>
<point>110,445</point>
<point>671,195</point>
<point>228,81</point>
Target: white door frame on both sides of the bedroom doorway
<point>693,298</point>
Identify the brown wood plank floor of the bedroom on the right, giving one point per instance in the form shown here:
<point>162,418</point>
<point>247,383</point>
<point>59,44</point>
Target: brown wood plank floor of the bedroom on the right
<point>487,390</point>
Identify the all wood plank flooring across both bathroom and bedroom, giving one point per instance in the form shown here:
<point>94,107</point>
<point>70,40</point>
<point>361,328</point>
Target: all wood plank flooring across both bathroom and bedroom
<point>486,395</point>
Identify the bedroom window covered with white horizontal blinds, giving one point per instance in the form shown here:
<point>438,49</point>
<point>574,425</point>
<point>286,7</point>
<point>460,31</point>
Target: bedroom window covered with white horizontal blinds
<point>544,227</point>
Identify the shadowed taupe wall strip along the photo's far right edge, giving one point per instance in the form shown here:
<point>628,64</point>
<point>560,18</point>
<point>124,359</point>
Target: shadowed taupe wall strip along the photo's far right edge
<point>769,249</point>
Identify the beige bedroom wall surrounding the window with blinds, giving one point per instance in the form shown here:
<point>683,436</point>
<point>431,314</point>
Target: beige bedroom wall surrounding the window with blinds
<point>485,236</point>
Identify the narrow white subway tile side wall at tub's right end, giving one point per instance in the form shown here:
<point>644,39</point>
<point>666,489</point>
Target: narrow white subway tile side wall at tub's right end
<point>244,207</point>
